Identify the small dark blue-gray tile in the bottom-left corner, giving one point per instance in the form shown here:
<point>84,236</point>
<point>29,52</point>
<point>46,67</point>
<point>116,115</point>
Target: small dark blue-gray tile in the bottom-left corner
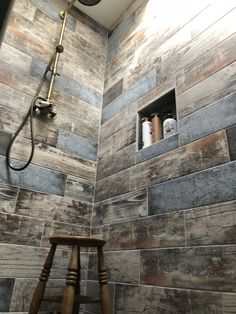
<point>6,288</point>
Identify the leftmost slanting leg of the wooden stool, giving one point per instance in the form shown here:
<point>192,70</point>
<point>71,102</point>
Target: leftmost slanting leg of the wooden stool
<point>40,289</point>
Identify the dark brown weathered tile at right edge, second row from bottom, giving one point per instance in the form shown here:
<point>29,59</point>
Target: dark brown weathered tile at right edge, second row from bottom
<point>202,268</point>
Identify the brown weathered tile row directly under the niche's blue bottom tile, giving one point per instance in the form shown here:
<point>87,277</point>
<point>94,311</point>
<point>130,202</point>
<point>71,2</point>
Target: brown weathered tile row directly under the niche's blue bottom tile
<point>187,159</point>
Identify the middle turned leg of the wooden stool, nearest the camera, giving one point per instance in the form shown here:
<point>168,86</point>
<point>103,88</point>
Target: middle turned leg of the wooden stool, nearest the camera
<point>71,279</point>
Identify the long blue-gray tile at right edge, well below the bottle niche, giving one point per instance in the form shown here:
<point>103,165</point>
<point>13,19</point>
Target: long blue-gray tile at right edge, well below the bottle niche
<point>210,186</point>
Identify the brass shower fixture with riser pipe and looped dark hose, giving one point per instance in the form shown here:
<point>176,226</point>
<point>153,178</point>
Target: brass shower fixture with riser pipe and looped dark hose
<point>44,105</point>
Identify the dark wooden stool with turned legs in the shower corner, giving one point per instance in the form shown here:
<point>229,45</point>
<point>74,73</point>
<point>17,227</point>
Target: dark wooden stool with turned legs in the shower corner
<point>72,299</point>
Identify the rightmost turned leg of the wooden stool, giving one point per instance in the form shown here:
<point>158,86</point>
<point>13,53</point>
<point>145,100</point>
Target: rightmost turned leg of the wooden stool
<point>104,289</point>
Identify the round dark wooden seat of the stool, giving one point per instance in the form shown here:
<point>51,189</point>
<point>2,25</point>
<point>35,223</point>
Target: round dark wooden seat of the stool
<point>81,241</point>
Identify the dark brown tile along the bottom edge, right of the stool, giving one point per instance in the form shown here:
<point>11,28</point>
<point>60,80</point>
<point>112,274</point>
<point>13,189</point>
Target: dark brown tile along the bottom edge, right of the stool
<point>141,299</point>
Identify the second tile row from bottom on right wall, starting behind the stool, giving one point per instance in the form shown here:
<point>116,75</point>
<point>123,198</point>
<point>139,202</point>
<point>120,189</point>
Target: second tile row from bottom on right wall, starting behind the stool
<point>203,268</point>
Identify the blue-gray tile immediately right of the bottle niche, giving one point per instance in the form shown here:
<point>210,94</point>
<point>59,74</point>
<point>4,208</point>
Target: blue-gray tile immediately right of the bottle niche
<point>212,118</point>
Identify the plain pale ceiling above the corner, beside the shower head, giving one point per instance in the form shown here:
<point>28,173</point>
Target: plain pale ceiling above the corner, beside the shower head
<point>107,12</point>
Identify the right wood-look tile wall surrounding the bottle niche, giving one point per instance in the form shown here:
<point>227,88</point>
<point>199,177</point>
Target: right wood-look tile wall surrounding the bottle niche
<point>168,212</point>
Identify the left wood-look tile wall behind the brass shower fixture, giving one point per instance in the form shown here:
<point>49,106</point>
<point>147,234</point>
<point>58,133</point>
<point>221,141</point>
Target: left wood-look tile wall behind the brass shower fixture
<point>55,194</point>
